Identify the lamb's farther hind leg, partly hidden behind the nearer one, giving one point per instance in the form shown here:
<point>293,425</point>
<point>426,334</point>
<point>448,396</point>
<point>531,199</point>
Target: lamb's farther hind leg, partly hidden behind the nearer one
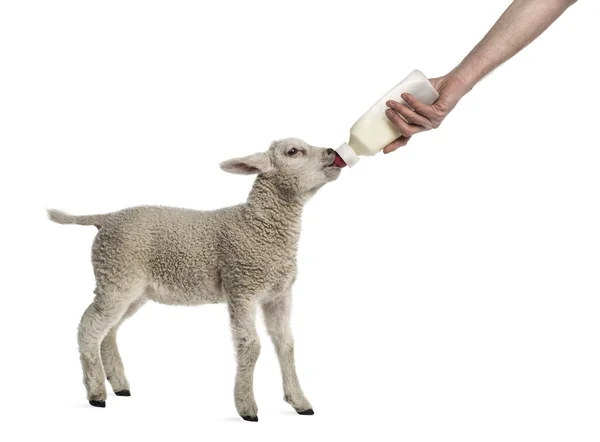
<point>111,359</point>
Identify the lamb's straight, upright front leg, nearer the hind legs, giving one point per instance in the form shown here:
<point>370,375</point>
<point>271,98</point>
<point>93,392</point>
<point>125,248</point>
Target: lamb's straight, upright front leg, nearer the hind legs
<point>242,313</point>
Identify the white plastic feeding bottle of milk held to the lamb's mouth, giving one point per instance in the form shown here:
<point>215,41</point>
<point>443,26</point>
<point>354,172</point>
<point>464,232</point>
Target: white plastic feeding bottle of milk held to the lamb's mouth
<point>373,131</point>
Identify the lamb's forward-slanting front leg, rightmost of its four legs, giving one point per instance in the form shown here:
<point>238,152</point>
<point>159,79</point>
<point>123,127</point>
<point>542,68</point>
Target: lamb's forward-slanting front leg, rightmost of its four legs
<point>277,317</point>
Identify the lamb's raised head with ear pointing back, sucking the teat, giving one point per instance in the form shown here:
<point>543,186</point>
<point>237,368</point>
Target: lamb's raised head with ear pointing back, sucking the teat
<point>294,167</point>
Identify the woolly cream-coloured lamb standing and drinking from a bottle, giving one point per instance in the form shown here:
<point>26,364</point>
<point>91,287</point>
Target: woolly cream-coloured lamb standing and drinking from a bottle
<point>243,255</point>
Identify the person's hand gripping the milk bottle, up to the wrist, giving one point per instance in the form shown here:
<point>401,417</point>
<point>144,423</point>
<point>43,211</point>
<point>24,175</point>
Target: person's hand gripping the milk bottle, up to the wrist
<point>423,117</point>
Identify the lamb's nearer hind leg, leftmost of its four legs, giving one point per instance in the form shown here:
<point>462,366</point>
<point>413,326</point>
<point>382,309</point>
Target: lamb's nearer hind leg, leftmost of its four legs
<point>102,314</point>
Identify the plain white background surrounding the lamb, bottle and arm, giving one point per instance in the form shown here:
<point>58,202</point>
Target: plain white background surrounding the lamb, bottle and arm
<point>465,306</point>
